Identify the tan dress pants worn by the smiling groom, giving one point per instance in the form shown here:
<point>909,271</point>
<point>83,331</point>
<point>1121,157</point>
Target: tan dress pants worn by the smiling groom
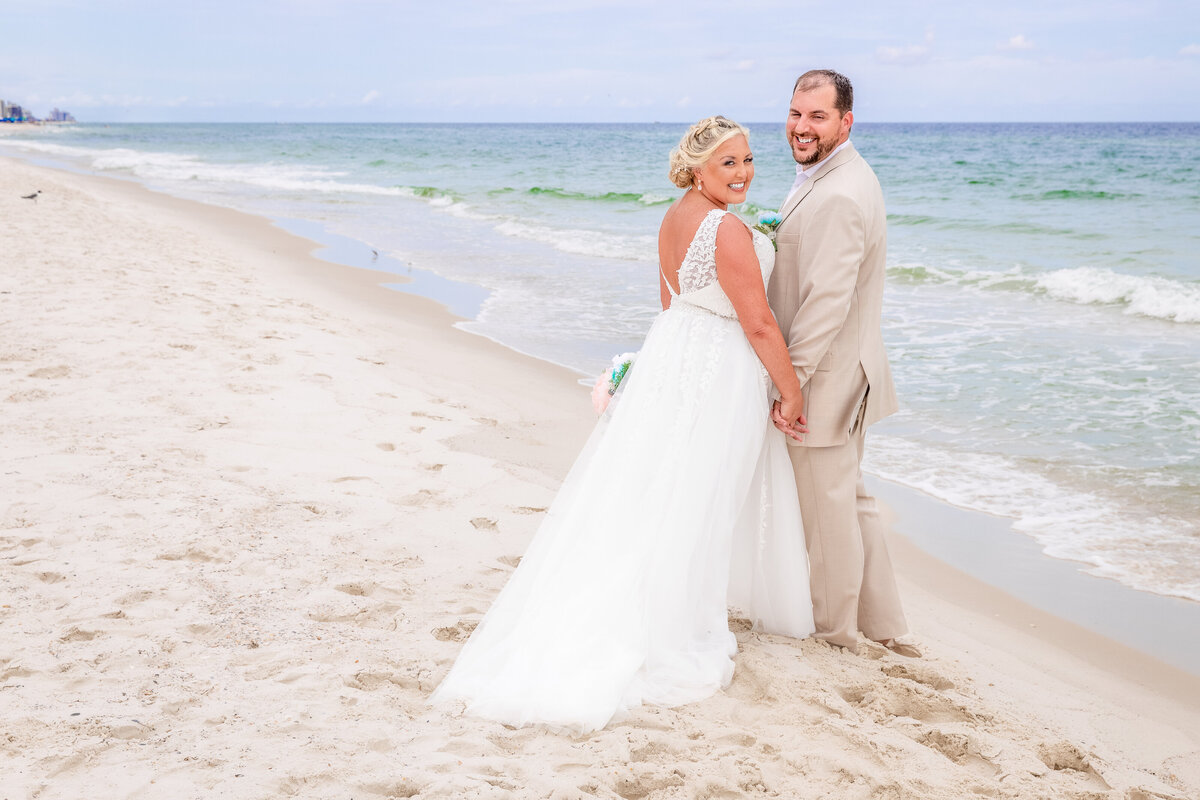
<point>854,586</point>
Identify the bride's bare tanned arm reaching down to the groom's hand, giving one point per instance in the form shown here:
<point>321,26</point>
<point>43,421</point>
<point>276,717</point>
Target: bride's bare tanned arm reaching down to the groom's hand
<point>737,272</point>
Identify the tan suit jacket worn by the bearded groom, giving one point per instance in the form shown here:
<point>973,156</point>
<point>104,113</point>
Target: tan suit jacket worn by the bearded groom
<point>827,294</point>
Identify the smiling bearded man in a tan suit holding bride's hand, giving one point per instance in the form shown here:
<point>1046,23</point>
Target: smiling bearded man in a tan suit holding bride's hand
<point>827,294</point>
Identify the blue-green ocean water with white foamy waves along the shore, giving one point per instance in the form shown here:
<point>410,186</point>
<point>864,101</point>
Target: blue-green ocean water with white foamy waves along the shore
<point>1042,314</point>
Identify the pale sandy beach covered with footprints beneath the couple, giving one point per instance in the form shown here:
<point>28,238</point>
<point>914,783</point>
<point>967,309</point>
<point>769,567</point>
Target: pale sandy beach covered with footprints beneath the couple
<point>253,503</point>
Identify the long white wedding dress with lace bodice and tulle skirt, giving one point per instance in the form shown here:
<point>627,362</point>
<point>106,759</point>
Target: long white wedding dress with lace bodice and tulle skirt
<point>681,506</point>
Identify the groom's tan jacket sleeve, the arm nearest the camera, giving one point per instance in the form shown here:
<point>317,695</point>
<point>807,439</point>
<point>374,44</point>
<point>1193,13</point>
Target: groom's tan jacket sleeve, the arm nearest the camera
<point>832,250</point>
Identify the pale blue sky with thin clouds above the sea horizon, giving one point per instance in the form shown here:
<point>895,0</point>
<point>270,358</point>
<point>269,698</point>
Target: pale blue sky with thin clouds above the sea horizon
<point>598,61</point>
